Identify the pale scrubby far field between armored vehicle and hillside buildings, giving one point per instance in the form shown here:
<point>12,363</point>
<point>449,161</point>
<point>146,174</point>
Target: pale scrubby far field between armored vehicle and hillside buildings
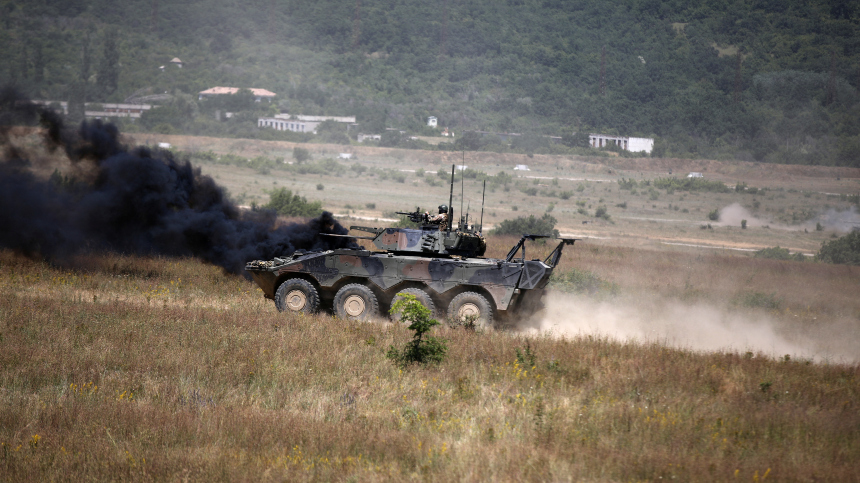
<point>789,204</point>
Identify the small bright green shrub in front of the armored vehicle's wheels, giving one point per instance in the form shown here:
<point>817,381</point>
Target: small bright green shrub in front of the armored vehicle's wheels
<point>422,349</point>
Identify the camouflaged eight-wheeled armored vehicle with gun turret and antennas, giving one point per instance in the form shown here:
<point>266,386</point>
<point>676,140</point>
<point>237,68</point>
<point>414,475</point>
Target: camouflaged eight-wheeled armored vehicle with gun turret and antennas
<point>443,268</point>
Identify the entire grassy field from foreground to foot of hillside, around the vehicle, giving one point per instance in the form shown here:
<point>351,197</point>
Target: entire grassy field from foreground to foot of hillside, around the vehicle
<point>665,352</point>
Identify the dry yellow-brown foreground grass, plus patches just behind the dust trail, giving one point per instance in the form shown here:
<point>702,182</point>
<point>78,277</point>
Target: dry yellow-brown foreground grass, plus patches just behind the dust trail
<point>141,369</point>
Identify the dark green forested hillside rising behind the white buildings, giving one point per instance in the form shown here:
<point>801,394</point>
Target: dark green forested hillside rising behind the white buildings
<point>764,80</point>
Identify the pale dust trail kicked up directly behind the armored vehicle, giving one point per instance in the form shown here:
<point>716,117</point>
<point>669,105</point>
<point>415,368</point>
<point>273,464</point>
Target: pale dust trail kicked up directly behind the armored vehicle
<point>698,327</point>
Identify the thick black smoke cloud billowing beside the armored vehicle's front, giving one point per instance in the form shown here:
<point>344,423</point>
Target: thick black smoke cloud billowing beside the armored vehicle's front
<point>134,201</point>
